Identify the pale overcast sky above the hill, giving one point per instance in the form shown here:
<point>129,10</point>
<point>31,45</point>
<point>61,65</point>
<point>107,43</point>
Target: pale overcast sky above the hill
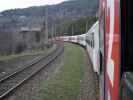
<point>9,4</point>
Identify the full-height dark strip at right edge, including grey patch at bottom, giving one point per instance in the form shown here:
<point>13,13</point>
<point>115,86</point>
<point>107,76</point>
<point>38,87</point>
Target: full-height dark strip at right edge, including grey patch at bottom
<point>127,50</point>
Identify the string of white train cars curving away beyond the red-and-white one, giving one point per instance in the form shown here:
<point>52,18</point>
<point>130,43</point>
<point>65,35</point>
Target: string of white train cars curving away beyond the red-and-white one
<point>90,40</point>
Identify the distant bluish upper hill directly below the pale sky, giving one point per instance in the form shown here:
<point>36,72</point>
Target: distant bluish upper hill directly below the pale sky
<point>68,10</point>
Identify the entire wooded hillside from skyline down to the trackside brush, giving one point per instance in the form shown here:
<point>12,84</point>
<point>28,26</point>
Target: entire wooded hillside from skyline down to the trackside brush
<point>17,26</point>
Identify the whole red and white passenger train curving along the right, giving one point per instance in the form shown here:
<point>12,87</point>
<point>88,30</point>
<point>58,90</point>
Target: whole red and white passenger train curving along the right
<point>109,43</point>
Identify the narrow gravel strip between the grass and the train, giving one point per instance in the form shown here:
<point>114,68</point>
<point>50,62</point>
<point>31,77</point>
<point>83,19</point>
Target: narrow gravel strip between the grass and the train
<point>89,85</point>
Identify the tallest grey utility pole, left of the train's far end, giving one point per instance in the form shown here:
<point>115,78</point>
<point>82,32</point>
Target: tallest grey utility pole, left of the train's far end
<point>46,25</point>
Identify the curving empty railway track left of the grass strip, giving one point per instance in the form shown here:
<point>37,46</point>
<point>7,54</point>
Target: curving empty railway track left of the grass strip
<point>11,82</point>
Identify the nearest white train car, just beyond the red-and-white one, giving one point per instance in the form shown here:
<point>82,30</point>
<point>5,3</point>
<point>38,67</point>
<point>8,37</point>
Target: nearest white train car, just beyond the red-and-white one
<point>92,45</point>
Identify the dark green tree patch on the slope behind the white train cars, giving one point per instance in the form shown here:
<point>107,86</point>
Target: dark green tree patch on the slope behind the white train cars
<point>77,27</point>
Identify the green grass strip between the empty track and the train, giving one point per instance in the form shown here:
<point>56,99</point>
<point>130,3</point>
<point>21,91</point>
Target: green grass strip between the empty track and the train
<point>65,83</point>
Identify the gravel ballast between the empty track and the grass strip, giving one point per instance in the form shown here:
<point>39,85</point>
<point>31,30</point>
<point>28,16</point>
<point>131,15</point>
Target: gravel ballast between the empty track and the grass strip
<point>31,89</point>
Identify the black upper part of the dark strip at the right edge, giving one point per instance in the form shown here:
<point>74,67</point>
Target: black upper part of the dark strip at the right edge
<point>127,36</point>
